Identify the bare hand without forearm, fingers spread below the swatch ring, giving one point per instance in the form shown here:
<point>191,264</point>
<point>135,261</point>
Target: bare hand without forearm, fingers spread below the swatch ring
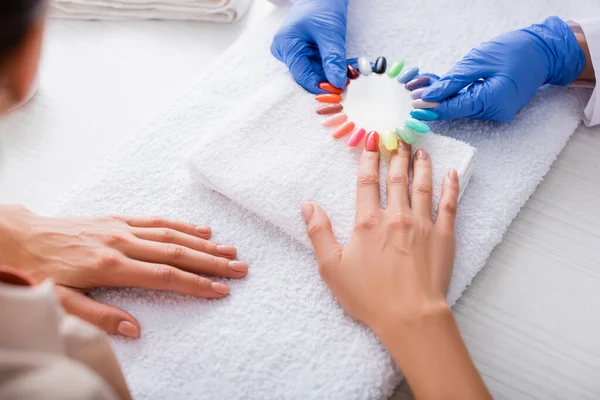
<point>398,263</point>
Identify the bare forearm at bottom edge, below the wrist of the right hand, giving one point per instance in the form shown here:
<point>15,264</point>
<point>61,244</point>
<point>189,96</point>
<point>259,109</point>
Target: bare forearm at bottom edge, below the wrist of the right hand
<point>434,358</point>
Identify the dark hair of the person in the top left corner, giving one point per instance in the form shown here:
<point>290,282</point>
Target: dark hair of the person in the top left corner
<point>16,17</point>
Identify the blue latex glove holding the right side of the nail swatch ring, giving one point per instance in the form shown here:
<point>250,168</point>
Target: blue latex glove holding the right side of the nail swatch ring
<point>498,78</point>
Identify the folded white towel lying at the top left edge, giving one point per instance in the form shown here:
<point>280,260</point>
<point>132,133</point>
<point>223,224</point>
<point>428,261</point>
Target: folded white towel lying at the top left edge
<point>196,10</point>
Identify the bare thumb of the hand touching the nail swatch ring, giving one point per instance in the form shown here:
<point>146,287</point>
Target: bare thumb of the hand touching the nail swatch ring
<point>327,250</point>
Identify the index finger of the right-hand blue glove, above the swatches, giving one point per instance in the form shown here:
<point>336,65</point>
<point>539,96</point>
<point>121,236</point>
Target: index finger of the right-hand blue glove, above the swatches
<point>464,73</point>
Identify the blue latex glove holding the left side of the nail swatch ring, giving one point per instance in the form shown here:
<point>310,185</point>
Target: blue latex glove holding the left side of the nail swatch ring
<point>312,43</point>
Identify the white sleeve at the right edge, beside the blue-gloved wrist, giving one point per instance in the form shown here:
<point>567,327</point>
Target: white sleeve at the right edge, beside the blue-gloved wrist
<point>589,98</point>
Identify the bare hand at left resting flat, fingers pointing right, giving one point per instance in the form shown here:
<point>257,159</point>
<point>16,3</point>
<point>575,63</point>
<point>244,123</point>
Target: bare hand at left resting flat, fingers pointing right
<point>81,254</point>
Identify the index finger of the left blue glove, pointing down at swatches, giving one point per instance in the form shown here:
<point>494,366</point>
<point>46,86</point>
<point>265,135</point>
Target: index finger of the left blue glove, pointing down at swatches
<point>332,48</point>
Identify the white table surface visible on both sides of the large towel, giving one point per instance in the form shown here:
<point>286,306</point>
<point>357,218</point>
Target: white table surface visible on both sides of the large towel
<point>531,318</point>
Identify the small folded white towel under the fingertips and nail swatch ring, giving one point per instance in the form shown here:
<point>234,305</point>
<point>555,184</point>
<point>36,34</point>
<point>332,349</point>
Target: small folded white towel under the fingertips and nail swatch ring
<point>286,157</point>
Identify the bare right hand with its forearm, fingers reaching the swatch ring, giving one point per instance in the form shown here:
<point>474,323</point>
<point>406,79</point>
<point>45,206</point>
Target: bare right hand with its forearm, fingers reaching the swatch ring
<point>394,273</point>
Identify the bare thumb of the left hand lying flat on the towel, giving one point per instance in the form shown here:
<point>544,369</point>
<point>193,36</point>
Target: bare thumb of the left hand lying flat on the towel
<point>106,317</point>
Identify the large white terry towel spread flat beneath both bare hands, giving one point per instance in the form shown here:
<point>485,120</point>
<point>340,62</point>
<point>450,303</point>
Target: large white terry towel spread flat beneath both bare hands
<point>281,334</point>
